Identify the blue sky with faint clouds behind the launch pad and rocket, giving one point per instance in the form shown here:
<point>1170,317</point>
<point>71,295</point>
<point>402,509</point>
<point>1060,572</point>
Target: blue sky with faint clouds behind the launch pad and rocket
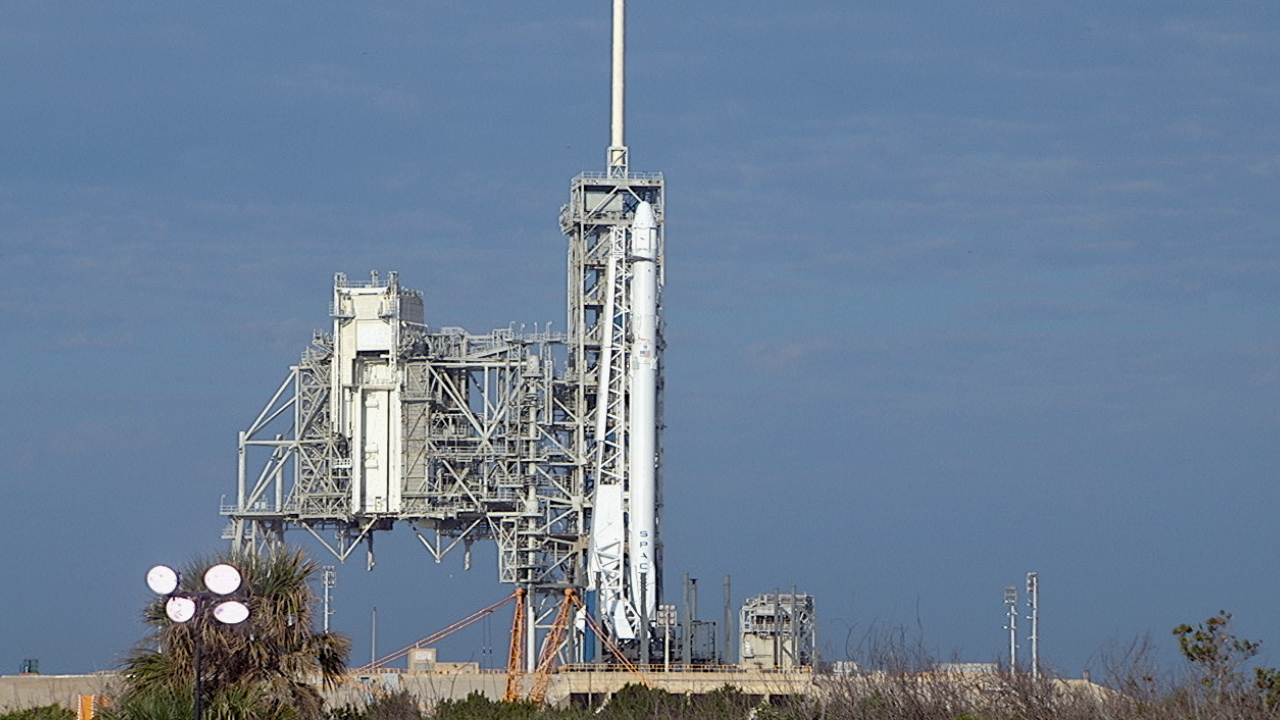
<point>954,293</point>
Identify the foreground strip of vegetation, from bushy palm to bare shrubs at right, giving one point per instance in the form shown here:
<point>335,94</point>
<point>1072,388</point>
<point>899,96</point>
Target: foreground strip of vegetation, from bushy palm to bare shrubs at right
<point>275,664</point>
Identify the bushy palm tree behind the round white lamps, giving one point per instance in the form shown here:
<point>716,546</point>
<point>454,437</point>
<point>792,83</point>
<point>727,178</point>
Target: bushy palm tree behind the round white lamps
<point>266,668</point>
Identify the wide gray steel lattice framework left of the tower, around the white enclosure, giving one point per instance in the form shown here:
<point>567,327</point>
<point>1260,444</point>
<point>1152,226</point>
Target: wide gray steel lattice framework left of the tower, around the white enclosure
<point>487,438</point>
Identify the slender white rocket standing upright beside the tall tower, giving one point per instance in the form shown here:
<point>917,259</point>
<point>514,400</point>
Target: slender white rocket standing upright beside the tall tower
<point>643,412</point>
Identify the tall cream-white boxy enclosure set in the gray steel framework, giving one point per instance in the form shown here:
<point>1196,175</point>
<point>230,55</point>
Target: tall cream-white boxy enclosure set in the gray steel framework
<point>368,322</point>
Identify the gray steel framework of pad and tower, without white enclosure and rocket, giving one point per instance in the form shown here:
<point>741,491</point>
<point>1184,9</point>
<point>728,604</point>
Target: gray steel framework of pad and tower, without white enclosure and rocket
<point>497,445</point>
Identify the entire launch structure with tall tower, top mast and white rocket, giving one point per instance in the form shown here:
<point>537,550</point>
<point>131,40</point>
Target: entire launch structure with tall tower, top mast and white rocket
<point>547,444</point>
